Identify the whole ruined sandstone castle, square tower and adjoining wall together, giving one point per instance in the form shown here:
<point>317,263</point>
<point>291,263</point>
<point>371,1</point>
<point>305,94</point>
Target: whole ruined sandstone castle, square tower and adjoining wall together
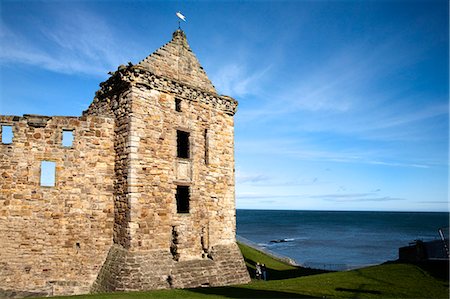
<point>111,221</point>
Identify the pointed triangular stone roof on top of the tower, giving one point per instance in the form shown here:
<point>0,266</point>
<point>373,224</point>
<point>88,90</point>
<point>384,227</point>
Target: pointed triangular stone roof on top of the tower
<point>175,60</point>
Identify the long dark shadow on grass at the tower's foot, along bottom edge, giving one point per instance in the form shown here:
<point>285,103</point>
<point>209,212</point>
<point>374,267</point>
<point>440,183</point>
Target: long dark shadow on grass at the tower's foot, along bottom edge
<point>236,292</point>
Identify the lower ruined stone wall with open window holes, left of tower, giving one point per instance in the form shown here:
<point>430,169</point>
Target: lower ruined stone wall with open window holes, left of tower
<point>54,240</point>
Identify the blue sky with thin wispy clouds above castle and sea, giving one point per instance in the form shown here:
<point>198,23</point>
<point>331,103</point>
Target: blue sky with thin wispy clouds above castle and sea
<point>343,105</point>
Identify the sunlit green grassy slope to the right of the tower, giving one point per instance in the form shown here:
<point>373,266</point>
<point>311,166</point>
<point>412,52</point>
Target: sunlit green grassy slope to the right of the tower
<point>383,281</point>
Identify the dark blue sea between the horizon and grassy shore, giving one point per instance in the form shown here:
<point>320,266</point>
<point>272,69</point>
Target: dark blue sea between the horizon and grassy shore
<point>337,240</point>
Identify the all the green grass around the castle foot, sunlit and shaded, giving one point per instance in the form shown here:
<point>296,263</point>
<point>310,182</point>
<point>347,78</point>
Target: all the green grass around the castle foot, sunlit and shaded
<point>393,280</point>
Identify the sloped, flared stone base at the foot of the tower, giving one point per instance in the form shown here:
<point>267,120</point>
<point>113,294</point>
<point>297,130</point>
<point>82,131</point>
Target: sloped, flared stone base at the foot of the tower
<point>126,270</point>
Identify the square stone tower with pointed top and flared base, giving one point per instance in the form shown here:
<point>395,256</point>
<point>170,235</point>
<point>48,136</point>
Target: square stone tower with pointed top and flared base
<point>174,205</point>
